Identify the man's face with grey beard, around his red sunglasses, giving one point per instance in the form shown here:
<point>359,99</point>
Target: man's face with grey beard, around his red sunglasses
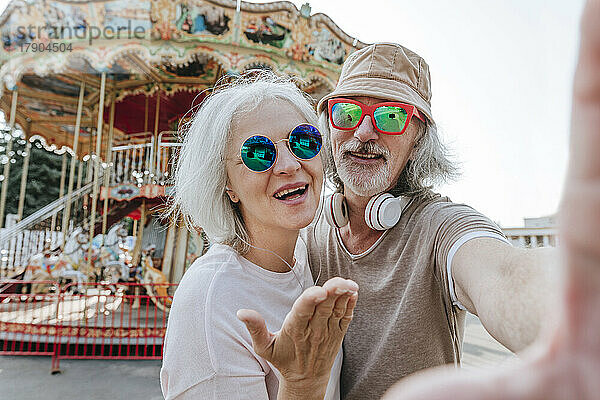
<point>368,162</point>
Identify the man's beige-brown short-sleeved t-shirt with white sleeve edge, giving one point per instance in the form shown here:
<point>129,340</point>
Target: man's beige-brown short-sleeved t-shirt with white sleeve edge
<point>403,318</point>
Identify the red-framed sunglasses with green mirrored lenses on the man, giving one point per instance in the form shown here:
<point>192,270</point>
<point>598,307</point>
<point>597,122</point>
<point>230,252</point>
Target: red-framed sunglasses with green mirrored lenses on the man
<point>389,118</point>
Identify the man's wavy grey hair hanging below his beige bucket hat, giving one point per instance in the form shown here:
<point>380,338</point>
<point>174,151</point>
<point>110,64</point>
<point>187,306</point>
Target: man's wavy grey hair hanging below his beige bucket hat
<point>430,163</point>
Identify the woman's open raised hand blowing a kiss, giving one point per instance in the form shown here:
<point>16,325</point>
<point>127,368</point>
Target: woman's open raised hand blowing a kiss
<point>306,346</point>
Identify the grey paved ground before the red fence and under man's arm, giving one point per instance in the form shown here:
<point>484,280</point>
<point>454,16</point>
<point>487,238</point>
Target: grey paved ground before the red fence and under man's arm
<point>28,378</point>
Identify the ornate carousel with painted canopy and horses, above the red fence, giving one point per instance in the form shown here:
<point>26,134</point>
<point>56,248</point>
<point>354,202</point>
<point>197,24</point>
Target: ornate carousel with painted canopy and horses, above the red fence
<point>106,85</point>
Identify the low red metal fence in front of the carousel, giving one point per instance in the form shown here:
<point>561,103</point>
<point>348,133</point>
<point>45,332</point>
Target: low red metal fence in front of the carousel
<point>93,321</point>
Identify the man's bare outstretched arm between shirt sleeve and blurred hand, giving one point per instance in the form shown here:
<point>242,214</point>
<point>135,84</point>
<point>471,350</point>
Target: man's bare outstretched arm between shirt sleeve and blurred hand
<point>513,291</point>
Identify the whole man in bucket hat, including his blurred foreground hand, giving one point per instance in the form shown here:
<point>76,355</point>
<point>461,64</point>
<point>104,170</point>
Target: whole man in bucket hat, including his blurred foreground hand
<point>440,258</point>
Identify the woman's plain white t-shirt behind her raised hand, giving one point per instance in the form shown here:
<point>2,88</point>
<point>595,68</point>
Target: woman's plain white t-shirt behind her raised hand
<point>208,352</point>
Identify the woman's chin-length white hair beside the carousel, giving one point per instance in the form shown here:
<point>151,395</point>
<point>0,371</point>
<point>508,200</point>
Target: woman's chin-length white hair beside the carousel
<point>199,176</point>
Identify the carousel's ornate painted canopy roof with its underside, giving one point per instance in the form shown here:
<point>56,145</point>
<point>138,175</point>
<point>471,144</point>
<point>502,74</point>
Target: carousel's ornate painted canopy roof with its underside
<point>152,52</point>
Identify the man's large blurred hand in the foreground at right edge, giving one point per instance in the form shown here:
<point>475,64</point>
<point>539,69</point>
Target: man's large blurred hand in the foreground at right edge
<point>566,365</point>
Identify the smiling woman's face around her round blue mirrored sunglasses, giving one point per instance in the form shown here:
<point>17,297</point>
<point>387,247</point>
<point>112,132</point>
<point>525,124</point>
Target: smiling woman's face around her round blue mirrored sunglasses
<point>287,195</point>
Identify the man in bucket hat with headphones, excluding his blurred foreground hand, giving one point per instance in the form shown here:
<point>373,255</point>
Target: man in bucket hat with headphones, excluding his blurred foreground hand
<point>417,276</point>
